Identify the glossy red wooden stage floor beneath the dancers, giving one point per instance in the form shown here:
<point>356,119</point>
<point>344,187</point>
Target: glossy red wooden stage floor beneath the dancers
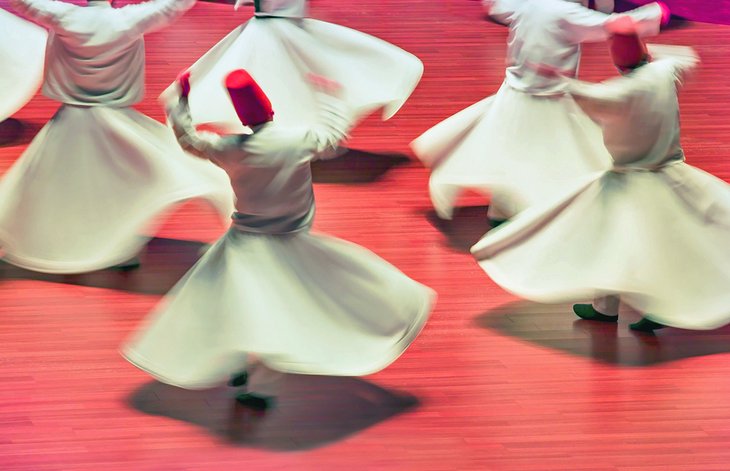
<point>493,383</point>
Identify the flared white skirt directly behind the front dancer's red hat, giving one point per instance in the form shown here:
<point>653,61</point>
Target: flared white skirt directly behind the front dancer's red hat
<point>280,46</point>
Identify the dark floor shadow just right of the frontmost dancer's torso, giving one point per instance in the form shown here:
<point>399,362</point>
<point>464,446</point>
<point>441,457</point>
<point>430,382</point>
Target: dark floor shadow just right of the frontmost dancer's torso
<point>356,166</point>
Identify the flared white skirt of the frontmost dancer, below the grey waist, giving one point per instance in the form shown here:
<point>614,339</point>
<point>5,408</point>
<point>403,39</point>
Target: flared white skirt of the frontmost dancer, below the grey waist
<point>299,303</point>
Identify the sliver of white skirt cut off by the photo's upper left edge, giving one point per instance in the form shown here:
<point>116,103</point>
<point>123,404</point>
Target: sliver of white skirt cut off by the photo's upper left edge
<point>22,49</point>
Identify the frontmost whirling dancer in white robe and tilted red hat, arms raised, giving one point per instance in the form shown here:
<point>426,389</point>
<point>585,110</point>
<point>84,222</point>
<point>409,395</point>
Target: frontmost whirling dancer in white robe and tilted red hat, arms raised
<point>295,301</point>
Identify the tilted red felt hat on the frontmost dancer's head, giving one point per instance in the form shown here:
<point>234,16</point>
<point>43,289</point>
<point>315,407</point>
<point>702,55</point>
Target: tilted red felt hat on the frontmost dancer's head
<point>250,102</point>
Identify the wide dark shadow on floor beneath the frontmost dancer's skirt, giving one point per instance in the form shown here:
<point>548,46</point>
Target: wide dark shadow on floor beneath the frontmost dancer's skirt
<point>309,412</point>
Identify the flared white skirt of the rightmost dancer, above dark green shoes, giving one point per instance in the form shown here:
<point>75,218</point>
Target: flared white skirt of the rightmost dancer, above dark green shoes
<point>660,239</point>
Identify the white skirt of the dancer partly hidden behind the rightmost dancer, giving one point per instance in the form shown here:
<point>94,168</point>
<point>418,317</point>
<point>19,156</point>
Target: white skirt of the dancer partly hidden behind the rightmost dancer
<point>517,148</point>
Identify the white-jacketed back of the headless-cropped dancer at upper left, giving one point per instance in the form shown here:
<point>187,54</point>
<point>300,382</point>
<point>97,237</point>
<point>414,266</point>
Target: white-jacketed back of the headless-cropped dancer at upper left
<point>95,53</point>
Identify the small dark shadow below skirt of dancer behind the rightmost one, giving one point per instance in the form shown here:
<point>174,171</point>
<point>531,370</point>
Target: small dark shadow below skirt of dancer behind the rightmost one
<point>464,229</point>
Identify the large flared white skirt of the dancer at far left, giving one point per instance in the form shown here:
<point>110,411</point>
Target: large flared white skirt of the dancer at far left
<point>91,182</point>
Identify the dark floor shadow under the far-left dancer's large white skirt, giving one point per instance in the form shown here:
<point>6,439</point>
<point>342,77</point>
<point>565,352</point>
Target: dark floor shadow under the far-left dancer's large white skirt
<point>163,263</point>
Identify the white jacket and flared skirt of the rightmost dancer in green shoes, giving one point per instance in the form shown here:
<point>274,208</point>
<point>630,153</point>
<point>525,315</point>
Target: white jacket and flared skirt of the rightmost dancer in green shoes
<point>653,230</point>
